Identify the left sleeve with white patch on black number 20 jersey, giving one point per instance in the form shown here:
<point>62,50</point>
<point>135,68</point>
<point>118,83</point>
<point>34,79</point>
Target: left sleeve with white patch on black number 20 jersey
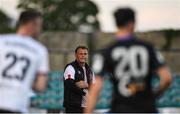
<point>100,64</point>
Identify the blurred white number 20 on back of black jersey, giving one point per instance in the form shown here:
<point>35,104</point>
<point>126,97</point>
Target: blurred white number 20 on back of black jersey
<point>129,57</point>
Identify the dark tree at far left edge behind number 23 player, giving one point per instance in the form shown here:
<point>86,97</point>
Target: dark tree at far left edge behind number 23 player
<point>4,23</point>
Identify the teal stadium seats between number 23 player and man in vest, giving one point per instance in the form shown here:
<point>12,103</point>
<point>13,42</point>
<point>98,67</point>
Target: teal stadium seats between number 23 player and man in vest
<point>53,96</point>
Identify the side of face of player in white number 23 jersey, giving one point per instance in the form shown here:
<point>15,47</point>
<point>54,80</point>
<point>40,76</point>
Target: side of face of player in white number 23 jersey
<point>35,27</point>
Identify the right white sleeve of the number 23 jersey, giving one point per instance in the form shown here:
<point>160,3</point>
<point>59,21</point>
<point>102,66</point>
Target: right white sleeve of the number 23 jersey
<point>43,66</point>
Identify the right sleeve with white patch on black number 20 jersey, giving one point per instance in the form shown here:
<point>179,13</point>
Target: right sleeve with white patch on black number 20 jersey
<point>157,59</point>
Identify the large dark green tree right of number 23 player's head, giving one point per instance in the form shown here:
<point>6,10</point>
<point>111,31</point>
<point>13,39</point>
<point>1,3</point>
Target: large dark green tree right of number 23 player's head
<point>64,15</point>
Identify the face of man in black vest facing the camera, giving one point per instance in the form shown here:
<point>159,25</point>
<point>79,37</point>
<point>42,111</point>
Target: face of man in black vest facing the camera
<point>82,55</point>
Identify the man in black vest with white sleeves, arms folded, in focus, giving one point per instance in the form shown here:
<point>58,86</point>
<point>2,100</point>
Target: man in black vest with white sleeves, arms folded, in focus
<point>77,78</point>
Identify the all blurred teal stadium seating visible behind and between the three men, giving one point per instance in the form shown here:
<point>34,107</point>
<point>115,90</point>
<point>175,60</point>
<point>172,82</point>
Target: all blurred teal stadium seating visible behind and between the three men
<point>53,96</point>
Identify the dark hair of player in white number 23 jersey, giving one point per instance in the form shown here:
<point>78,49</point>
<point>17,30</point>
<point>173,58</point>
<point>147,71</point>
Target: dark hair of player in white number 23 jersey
<point>27,16</point>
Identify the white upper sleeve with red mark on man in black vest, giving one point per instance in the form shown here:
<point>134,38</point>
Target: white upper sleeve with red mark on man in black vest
<point>69,72</point>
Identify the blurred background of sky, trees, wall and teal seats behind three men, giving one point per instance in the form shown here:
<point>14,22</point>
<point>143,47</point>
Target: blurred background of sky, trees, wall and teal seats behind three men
<point>69,23</point>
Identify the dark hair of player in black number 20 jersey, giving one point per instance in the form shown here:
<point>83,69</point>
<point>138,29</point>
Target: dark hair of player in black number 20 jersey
<point>123,16</point>
